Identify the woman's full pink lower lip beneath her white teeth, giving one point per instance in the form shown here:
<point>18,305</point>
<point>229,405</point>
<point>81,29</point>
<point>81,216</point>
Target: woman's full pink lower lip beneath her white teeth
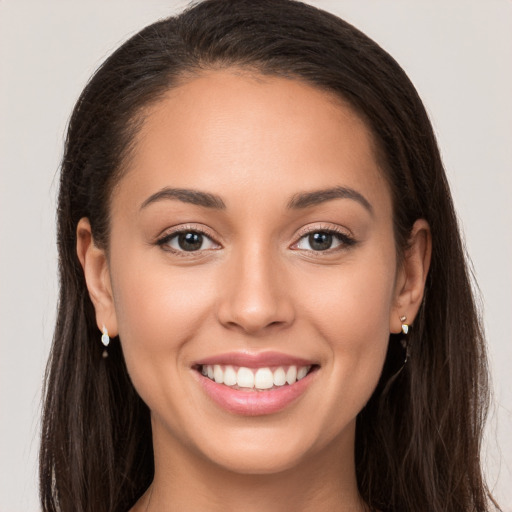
<point>254,403</point>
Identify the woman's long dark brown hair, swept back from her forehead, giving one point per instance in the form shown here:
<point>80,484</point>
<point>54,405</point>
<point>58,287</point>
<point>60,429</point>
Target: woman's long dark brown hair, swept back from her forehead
<point>418,438</point>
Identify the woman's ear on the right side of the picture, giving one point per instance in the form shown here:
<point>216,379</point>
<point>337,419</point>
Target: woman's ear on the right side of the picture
<point>411,278</point>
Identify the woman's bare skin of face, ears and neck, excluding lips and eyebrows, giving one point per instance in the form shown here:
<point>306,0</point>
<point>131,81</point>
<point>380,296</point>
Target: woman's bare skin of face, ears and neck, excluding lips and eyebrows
<point>257,286</point>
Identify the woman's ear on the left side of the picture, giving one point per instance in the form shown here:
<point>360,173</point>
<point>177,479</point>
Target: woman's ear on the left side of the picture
<point>97,277</point>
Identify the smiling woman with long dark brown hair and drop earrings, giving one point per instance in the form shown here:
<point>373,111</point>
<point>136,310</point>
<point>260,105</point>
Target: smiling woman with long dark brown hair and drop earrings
<point>263,303</point>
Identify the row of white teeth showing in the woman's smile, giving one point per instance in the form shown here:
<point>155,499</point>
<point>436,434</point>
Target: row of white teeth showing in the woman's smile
<point>261,378</point>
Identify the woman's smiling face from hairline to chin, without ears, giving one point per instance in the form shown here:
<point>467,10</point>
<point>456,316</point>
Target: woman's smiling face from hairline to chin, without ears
<point>251,240</point>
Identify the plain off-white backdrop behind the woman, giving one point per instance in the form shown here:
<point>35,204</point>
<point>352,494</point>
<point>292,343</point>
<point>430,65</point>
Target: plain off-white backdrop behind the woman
<point>458,54</point>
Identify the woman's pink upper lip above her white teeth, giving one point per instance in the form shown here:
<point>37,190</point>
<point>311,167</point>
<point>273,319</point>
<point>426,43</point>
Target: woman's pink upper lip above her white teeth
<point>255,360</point>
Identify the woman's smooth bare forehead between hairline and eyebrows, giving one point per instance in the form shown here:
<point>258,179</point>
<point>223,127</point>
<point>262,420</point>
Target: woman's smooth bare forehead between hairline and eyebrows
<point>236,134</point>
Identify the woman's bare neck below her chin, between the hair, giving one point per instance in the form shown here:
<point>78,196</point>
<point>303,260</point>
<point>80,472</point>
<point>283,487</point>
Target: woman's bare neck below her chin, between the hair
<point>185,481</point>
